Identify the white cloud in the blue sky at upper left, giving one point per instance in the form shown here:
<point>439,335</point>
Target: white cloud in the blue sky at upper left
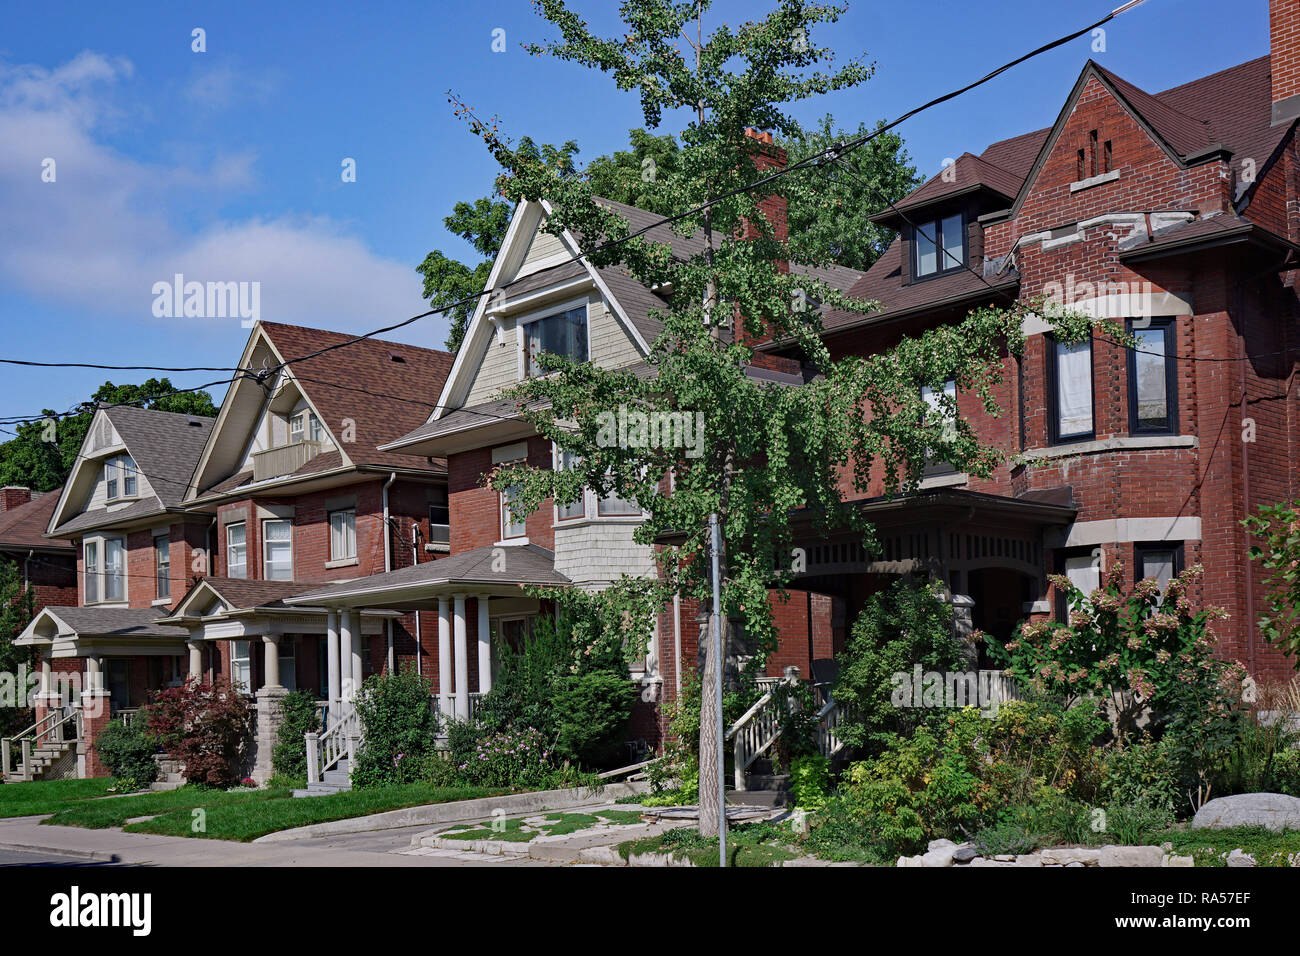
<point>106,231</point>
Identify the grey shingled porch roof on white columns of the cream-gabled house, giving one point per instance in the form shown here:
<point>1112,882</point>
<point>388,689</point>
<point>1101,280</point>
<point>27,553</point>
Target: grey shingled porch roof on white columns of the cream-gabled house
<point>484,569</point>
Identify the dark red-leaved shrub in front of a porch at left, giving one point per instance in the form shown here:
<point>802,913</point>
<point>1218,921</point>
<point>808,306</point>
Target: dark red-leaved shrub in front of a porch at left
<point>207,726</point>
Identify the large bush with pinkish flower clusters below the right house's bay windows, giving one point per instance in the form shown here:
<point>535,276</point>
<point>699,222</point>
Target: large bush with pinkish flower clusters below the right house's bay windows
<point>1142,650</point>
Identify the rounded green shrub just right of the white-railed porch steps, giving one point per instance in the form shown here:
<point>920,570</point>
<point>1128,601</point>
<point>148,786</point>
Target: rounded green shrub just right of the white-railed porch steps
<point>400,729</point>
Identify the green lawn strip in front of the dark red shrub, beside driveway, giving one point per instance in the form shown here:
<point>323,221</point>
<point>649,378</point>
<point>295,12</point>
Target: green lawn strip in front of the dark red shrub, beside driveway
<point>248,820</point>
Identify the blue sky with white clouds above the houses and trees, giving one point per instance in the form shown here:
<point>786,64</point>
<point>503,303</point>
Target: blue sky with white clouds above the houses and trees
<point>226,165</point>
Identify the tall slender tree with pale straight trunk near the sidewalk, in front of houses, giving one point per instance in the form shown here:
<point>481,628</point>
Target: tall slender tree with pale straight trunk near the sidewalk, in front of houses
<point>761,451</point>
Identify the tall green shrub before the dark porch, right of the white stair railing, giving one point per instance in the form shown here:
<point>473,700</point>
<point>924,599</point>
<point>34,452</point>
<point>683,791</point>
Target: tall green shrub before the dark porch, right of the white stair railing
<point>903,626</point>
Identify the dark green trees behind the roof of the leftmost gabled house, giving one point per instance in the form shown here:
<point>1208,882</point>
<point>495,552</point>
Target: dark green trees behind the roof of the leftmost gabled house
<point>44,453</point>
